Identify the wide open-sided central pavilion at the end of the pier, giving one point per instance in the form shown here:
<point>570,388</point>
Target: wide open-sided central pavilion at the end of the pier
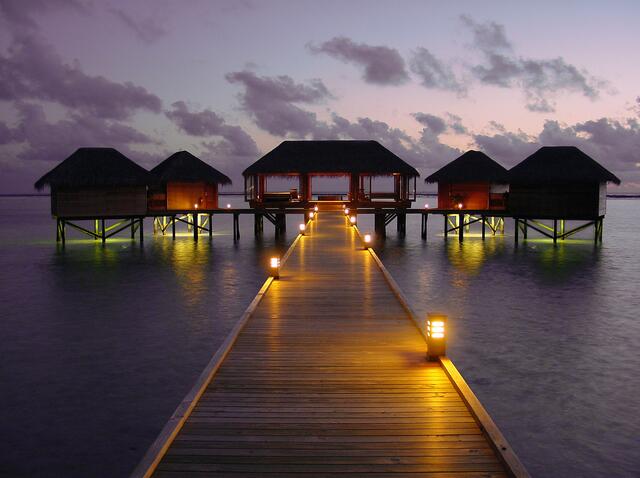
<point>359,161</point>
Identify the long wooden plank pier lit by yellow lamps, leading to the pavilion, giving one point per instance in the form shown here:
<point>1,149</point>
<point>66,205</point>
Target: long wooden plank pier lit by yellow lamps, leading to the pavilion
<point>327,374</point>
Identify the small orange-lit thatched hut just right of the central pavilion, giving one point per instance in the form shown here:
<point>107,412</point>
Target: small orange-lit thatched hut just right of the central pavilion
<point>473,181</point>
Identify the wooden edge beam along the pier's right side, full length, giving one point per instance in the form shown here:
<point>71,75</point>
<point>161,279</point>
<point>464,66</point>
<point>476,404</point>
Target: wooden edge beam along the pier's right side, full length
<point>499,443</point>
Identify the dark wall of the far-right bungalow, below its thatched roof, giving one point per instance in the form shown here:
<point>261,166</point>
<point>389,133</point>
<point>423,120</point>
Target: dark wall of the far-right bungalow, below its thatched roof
<point>570,201</point>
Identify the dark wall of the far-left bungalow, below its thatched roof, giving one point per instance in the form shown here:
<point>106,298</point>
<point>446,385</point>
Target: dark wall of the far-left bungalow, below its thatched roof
<point>99,202</point>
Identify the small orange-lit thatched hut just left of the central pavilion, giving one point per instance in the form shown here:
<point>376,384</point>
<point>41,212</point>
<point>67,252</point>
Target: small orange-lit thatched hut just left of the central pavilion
<point>184,182</point>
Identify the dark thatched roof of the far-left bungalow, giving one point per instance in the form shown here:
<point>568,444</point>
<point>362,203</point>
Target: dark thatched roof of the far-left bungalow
<point>95,167</point>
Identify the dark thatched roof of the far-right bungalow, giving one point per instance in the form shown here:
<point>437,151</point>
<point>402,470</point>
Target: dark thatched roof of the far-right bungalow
<point>560,165</point>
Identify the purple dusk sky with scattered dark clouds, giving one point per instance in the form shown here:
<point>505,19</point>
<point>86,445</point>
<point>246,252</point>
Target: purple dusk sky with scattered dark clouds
<point>229,80</point>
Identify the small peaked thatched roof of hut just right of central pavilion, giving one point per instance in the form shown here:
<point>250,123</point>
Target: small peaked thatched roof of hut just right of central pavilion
<point>472,166</point>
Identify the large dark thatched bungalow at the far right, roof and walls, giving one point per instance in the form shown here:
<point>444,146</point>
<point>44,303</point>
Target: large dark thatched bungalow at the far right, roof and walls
<point>559,182</point>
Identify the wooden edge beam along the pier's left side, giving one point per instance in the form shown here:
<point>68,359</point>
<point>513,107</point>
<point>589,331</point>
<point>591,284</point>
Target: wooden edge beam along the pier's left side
<point>147,466</point>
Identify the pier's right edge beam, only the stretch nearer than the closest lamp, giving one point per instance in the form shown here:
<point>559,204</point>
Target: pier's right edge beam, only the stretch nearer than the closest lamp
<point>499,443</point>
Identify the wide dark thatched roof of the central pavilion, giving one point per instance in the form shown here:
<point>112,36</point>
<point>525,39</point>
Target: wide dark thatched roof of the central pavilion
<point>330,157</point>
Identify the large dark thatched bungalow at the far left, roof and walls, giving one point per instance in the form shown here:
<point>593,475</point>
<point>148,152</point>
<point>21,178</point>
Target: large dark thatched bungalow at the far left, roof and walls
<point>96,183</point>
